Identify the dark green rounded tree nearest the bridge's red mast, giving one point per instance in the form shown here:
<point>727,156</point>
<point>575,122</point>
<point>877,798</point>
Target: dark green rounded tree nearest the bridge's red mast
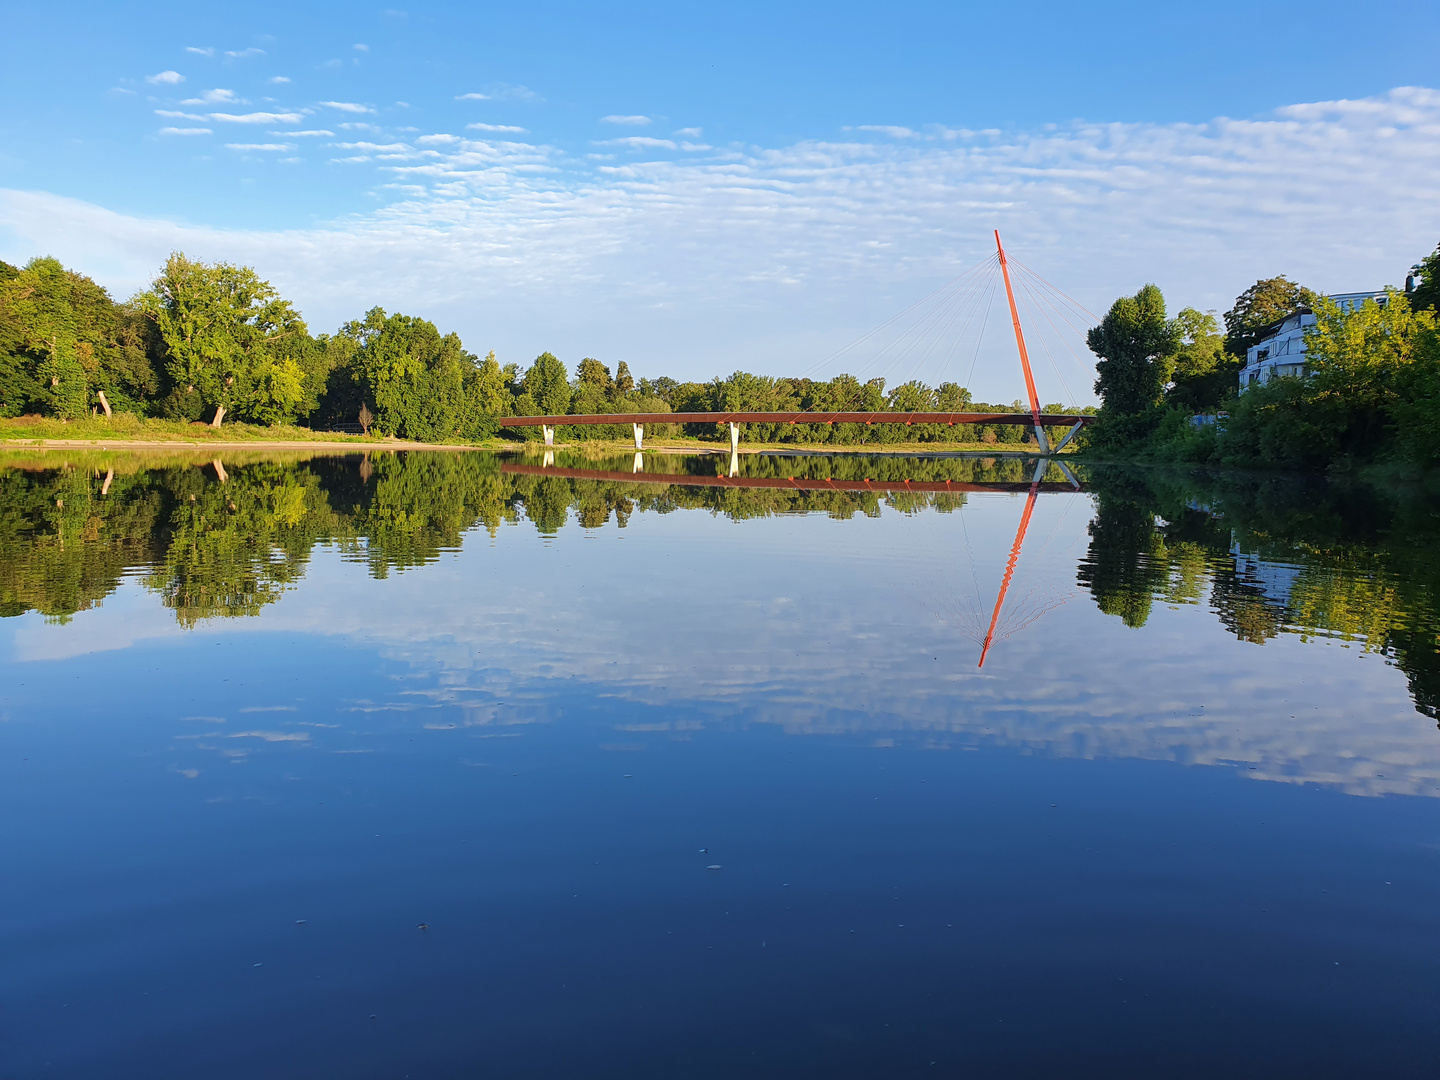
<point>1135,345</point>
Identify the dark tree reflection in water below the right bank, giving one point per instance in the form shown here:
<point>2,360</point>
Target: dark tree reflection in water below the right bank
<point>1274,557</point>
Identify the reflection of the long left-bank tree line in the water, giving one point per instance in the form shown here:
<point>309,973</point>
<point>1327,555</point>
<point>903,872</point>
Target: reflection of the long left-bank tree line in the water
<point>225,539</point>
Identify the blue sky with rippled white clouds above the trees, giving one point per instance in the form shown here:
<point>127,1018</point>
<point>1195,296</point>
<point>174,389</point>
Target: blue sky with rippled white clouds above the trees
<point>705,191</point>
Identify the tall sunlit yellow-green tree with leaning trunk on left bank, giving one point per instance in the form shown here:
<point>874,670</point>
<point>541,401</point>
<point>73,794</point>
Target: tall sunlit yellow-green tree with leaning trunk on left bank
<point>230,341</point>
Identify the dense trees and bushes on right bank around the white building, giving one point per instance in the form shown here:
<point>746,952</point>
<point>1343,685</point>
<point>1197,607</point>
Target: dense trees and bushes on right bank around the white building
<point>1370,392</point>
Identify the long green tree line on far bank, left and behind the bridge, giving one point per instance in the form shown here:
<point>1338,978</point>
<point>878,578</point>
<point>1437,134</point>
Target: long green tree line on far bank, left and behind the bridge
<point>215,342</point>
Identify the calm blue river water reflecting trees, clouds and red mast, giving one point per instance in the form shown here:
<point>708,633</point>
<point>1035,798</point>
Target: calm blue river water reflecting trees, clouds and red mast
<point>424,767</point>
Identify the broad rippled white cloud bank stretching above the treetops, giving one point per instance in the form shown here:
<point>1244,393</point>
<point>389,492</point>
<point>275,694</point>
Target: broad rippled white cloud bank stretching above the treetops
<point>788,253</point>
